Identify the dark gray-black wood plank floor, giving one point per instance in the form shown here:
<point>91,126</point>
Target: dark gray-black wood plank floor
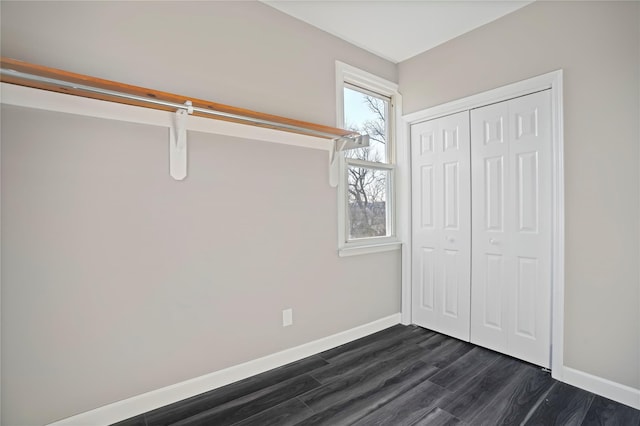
<point>399,376</point>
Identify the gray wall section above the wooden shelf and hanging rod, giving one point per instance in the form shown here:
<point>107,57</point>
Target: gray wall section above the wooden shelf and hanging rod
<point>241,53</point>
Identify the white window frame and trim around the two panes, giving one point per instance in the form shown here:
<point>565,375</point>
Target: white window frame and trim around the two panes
<point>349,75</point>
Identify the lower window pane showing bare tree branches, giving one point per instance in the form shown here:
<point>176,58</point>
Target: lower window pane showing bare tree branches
<point>367,200</point>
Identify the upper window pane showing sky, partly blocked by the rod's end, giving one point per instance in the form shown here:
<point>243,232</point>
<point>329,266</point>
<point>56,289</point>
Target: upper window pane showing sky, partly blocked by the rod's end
<point>364,113</point>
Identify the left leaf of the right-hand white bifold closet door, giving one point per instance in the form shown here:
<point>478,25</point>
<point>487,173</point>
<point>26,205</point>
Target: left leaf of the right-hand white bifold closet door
<point>490,266</point>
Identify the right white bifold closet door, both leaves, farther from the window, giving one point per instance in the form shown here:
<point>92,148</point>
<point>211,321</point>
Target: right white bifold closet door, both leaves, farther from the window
<point>511,227</point>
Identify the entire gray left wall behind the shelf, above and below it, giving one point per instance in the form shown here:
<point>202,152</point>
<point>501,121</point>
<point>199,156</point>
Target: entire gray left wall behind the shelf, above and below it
<point>117,280</point>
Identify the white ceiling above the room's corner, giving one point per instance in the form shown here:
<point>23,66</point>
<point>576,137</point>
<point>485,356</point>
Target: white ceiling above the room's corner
<point>396,30</point>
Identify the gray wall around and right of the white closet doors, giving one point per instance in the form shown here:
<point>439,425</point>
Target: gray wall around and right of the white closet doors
<point>598,45</point>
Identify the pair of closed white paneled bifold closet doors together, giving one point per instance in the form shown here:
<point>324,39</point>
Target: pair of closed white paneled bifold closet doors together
<point>481,226</point>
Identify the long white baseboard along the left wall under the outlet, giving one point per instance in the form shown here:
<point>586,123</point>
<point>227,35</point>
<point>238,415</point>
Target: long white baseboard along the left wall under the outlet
<point>131,407</point>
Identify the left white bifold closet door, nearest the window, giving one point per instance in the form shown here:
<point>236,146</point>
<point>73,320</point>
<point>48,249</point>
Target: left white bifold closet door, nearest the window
<point>441,225</point>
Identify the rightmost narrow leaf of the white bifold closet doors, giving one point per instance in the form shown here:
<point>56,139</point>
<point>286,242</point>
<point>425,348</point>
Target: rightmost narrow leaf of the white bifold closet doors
<point>530,166</point>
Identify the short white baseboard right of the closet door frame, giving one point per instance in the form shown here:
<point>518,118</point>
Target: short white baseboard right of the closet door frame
<point>603,387</point>
